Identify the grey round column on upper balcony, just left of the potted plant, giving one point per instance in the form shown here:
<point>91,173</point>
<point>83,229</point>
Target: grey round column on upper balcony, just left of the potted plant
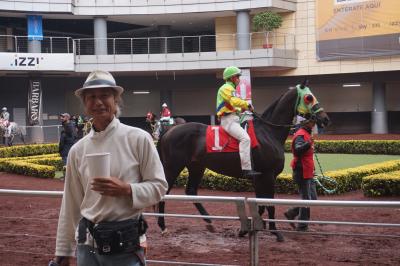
<point>243,30</point>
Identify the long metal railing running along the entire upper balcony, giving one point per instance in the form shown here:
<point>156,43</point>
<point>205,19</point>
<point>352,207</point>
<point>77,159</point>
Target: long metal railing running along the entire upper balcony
<point>150,45</point>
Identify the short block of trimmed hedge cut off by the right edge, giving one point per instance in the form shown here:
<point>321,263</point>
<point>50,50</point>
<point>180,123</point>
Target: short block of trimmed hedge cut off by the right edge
<point>382,184</point>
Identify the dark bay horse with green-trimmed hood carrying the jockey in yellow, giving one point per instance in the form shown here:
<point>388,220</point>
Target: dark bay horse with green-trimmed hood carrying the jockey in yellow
<point>185,146</point>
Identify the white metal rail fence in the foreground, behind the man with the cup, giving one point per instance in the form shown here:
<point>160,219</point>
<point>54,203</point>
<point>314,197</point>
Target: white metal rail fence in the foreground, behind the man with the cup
<point>247,215</point>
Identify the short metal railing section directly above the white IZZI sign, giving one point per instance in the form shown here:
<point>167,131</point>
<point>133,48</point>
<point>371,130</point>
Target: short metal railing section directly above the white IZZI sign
<point>50,45</point>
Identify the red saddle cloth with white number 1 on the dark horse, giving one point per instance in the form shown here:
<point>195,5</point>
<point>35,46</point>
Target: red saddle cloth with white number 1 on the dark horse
<point>218,140</point>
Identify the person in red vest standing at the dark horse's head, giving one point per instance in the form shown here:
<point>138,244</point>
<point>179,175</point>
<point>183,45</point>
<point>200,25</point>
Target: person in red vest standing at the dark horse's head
<point>303,171</point>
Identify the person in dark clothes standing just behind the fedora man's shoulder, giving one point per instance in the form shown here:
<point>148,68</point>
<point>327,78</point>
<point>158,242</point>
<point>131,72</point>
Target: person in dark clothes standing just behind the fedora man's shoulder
<point>67,136</point>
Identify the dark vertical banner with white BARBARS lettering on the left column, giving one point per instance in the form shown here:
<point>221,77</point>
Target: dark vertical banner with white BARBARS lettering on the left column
<point>34,103</point>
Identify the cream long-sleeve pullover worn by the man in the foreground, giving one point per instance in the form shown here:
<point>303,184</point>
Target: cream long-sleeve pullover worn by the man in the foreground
<point>134,159</point>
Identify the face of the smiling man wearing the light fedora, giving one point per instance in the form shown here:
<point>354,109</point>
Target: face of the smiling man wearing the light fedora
<point>100,103</point>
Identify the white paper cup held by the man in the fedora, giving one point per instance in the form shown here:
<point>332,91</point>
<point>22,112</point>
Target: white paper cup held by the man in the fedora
<point>99,164</point>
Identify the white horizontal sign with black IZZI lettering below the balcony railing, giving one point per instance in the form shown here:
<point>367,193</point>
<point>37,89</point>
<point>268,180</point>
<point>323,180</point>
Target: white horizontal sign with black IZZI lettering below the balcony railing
<point>37,61</point>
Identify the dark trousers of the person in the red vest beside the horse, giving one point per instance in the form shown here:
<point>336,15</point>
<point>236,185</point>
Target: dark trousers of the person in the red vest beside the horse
<point>307,191</point>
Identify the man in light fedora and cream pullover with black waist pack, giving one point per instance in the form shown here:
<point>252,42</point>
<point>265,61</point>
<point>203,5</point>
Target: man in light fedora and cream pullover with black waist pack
<point>102,215</point>
